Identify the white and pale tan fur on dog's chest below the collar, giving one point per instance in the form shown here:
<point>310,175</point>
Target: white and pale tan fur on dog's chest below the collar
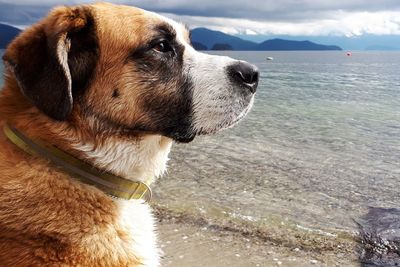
<point>135,219</point>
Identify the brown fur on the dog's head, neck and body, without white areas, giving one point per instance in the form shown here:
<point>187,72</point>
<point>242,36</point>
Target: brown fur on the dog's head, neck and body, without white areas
<point>47,218</point>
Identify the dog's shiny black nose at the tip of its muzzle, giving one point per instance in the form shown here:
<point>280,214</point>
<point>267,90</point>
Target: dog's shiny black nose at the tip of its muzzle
<point>245,74</point>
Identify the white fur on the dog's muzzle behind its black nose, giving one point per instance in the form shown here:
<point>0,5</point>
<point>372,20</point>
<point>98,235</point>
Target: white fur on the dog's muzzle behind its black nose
<point>217,104</point>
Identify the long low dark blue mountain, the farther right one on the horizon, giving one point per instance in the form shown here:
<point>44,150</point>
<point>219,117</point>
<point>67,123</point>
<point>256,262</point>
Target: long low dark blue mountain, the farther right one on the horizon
<point>287,45</point>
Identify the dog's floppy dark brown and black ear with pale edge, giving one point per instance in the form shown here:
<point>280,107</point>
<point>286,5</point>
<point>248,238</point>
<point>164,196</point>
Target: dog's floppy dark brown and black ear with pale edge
<point>52,57</point>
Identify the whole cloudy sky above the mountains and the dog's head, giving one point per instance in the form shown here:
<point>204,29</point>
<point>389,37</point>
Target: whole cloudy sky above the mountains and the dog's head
<point>260,17</point>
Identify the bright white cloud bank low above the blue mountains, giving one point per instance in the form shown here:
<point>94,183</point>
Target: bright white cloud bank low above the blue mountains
<point>341,24</point>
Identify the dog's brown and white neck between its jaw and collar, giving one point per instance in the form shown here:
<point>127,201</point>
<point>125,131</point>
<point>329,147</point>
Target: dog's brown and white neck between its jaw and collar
<point>139,159</point>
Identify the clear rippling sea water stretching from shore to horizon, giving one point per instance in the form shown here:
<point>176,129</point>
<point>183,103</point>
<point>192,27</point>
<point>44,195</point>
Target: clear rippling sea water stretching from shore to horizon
<point>316,157</point>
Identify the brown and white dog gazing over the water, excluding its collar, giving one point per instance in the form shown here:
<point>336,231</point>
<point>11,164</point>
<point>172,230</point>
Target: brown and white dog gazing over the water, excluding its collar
<point>113,86</point>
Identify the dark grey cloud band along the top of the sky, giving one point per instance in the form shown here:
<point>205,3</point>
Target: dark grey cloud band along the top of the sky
<point>268,10</point>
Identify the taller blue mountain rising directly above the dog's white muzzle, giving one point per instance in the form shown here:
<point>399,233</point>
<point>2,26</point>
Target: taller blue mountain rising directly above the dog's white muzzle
<point>209,38</point>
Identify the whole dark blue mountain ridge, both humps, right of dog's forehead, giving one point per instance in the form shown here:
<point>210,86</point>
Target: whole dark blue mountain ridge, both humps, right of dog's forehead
<point>210,38</point>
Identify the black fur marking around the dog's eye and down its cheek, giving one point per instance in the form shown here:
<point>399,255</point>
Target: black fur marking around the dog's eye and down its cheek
<point>162,74</point>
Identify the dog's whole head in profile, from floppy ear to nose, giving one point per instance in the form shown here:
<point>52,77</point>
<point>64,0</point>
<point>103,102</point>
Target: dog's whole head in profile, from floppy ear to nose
<point>128,69</point>
